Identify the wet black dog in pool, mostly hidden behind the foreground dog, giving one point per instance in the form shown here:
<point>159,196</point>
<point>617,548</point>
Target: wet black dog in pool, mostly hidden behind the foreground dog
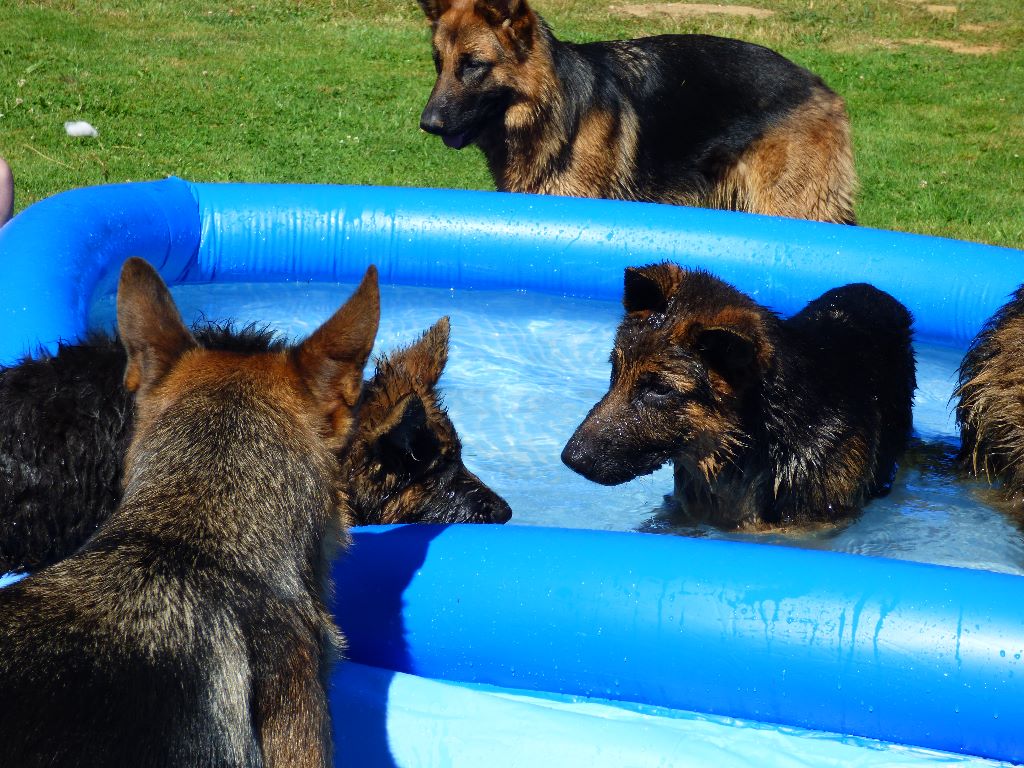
<point>66,423</point>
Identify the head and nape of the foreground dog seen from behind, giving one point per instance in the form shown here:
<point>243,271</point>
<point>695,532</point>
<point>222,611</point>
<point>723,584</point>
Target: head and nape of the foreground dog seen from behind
<point>258,432</point>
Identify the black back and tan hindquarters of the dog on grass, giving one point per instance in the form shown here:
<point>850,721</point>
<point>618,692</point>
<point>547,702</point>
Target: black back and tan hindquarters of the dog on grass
<point>722,123</point>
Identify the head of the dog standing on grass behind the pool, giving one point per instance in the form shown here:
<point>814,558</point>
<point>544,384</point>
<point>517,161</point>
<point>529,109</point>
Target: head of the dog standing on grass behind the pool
<point>482,52</point>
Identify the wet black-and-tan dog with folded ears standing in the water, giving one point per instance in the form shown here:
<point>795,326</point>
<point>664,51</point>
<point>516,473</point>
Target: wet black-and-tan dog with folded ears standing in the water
<point>767,422</point>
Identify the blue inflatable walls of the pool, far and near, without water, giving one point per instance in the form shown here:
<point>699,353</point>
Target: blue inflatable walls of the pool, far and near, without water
<point>538,647</point>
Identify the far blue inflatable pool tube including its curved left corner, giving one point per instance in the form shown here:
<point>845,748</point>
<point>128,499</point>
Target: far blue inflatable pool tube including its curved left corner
<point>200,233</point>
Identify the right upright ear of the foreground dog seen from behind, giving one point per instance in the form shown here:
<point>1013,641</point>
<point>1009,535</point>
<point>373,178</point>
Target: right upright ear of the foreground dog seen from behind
<point>331,361</point>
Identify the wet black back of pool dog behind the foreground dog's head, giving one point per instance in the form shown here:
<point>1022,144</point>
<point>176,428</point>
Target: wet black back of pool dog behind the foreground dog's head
<point>66,422</point>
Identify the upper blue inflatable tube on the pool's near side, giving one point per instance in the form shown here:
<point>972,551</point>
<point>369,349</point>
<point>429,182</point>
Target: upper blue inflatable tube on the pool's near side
<point>905,653</point>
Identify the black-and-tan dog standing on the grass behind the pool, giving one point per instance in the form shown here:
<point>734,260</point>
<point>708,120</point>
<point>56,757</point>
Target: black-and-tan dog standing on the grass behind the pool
<point>684,119</point>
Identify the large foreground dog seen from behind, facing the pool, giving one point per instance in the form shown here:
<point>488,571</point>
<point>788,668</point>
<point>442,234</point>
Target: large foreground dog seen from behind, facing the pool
<point>192,629</point>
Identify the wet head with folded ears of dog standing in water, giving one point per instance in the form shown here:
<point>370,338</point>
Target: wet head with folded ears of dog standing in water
<point>688,355</point>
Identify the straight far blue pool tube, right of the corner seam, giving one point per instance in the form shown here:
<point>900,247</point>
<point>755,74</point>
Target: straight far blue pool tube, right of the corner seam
<point>580,247</point>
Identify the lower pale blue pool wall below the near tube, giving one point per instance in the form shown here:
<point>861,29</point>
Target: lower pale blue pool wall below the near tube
<point>385,719</point>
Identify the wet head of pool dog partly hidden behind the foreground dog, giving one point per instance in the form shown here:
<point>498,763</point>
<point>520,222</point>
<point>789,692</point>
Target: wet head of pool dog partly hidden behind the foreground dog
<point>406,461</point>
